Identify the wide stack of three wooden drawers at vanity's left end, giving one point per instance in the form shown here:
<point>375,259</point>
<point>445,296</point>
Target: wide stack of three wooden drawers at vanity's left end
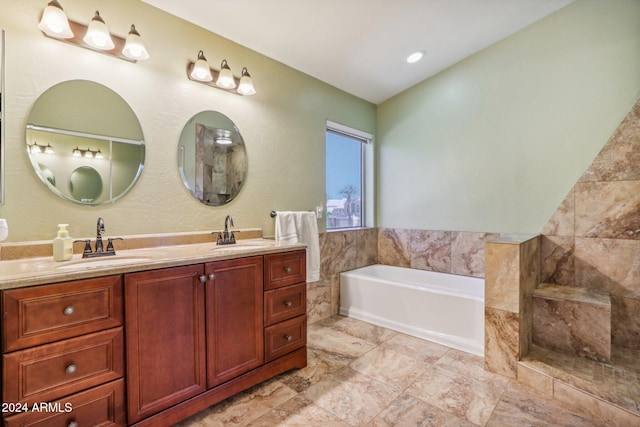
<point>63,348</point>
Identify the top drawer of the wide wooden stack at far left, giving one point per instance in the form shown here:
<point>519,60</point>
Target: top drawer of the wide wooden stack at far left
<point>42,314</point>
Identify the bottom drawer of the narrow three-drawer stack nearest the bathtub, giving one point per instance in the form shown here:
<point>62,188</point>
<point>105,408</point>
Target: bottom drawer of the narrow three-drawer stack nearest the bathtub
<point>285,337</point>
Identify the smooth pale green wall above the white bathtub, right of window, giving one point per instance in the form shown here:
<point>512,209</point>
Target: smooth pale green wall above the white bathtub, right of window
<point>495,142</point>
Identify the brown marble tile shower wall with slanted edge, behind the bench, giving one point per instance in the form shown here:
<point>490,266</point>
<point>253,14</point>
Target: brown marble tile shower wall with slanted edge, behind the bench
<point>593,239</point>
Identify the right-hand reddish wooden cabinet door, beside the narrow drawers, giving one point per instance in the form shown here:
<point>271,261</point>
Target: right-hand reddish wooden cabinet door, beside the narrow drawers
<point>235,336</point>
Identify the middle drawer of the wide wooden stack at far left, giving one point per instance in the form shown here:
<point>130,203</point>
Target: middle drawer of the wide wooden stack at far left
<point>50,371</point>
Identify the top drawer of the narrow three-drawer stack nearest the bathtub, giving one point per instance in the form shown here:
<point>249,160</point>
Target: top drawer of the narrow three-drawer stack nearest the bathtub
<point>285,269</point>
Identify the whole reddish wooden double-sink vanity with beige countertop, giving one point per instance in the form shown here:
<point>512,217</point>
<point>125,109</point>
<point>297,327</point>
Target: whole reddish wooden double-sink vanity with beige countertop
<point>151,336</point>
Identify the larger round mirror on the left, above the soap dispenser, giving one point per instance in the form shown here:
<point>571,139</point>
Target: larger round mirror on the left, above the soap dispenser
<point>85,143</point>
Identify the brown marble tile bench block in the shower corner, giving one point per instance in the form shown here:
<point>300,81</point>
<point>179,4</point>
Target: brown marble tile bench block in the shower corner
<point>573,320</point>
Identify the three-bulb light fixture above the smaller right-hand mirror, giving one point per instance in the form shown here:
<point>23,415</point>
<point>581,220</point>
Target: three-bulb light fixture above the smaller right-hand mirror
<point>224,79</point>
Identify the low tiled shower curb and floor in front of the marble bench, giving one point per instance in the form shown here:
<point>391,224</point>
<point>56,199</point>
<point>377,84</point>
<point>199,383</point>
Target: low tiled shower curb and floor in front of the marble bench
<point>611,389</point>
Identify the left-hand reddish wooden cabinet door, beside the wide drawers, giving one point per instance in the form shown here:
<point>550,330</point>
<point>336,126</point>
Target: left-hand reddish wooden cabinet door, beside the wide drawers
<point>165,339</point>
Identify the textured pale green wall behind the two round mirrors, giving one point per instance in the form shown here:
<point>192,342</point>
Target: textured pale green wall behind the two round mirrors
<point>282,125</point>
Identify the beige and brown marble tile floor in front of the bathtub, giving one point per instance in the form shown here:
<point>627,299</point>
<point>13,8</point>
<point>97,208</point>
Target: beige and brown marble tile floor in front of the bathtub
<point>364,375</point>
